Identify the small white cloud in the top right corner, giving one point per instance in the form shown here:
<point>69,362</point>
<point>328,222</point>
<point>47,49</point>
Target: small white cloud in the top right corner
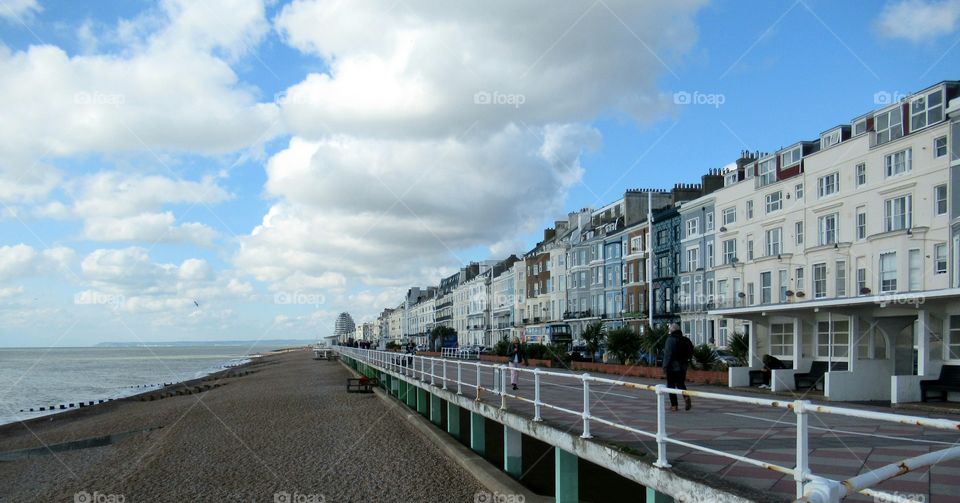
<point>918,20</point>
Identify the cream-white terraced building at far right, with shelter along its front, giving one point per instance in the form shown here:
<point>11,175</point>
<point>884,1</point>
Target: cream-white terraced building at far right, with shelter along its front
<point>840,250</point>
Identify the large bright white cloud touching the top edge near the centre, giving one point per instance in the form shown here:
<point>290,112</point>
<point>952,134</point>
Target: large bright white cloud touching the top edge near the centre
<point>419,76</point>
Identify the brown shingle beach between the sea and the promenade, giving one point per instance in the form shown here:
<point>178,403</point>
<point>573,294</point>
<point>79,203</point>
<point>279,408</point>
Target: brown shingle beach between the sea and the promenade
<point>280,429</point>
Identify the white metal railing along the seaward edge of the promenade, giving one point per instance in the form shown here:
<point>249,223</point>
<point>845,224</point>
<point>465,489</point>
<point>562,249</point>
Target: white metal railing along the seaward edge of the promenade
<point>809,487</point>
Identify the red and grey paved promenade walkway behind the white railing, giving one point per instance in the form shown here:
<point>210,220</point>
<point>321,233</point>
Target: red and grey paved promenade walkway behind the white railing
<point>841,447</point>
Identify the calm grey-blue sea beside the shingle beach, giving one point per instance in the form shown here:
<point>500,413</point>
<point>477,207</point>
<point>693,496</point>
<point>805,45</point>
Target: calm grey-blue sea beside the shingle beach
<point>49,377</point>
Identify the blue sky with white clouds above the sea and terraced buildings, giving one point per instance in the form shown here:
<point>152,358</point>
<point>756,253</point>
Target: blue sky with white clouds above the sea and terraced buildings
<point>248,169</point>
